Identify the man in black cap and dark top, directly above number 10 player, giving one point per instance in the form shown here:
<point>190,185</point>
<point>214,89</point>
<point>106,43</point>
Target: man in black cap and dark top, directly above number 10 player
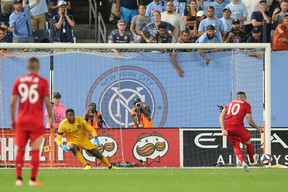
<point>235,35</point>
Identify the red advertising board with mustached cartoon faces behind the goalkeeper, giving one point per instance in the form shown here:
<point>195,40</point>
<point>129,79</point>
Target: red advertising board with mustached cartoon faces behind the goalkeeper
<point>145,147</point>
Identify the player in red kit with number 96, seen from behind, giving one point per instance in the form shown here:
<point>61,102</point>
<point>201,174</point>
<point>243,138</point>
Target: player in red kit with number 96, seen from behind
<point>32,90</point>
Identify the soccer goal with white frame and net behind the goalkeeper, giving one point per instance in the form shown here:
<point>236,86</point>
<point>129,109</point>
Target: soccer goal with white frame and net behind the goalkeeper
<point>188,102</point>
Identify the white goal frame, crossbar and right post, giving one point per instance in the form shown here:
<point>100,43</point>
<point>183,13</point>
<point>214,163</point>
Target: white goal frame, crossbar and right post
<point>265,46</point>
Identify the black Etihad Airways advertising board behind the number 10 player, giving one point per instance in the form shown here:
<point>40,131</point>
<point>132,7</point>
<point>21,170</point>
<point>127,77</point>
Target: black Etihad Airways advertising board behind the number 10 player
<point>207,147</point>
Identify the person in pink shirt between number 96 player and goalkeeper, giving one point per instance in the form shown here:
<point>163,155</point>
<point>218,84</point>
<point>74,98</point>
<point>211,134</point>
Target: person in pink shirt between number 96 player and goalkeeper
<point>59,110</point>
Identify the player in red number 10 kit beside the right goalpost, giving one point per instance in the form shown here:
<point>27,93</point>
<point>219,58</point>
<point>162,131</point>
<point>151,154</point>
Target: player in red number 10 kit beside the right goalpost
<point>231,122</point>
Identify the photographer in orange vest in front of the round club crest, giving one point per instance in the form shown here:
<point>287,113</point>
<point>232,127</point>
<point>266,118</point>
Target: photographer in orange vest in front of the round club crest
<point>141,115</point>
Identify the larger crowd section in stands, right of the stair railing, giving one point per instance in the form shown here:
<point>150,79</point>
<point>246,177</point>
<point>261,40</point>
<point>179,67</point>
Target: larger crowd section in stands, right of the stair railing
<point>210,21</point>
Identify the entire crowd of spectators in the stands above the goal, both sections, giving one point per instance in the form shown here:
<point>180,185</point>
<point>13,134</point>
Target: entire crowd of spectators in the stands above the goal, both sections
<point>154,21</point>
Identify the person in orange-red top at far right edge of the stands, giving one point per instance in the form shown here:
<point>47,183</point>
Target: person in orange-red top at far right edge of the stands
<point>280,40</point>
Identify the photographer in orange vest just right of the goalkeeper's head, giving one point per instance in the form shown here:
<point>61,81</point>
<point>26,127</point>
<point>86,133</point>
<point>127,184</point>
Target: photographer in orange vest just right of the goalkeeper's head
<point>94,117</point>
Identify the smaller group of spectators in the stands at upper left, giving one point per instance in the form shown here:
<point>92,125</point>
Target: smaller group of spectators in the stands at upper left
<point>36,21</point>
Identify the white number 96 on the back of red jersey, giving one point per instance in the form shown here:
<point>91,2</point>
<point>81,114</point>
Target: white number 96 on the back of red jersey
<point>28,93</point>
